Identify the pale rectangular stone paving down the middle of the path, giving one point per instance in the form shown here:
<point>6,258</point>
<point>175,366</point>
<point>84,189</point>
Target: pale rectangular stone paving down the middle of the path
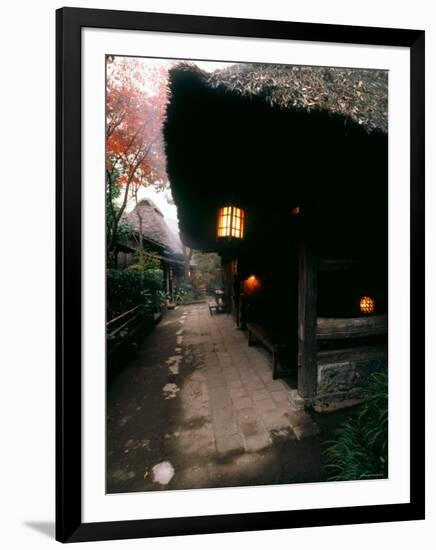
<point>234,390</point>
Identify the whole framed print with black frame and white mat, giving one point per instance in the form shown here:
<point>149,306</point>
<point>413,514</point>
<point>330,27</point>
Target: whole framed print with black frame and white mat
<point>240,274</point>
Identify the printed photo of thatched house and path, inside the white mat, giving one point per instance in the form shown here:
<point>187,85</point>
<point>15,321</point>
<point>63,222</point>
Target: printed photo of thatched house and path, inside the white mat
<point>246,274</point>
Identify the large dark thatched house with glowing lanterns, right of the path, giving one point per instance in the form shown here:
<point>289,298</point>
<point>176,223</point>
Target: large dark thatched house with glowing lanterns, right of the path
<point>282,170</point>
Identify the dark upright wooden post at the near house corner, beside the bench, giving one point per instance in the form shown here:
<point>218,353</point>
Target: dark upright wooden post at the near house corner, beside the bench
<point>307,299</point>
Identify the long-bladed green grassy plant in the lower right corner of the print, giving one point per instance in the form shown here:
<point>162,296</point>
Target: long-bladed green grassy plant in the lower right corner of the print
<point>360,448</point>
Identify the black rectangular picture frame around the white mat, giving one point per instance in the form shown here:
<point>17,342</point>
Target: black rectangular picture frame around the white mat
<point>69,525</point>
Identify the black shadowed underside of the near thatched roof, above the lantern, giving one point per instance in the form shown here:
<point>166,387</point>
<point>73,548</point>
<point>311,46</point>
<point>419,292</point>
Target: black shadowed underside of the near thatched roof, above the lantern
<point>224,146</point>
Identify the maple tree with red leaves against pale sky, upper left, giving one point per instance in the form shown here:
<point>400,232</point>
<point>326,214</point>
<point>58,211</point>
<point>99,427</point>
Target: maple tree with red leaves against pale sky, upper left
<point>136,98</point>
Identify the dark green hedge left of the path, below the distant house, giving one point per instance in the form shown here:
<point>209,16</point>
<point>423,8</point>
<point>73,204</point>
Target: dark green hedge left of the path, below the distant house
<point>128,288</point>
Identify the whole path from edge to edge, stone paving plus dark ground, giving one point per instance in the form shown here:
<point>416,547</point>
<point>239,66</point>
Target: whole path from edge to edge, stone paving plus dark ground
<point>199,408</point>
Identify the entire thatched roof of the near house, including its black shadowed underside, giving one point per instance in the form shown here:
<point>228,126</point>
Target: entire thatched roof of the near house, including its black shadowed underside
<point>271,137</point>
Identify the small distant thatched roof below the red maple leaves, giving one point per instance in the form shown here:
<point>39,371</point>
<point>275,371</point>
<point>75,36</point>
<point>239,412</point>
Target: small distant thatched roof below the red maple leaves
<point>147,217</point>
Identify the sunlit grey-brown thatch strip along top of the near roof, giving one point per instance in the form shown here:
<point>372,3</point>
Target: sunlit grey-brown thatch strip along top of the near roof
<point>360,94</point>
